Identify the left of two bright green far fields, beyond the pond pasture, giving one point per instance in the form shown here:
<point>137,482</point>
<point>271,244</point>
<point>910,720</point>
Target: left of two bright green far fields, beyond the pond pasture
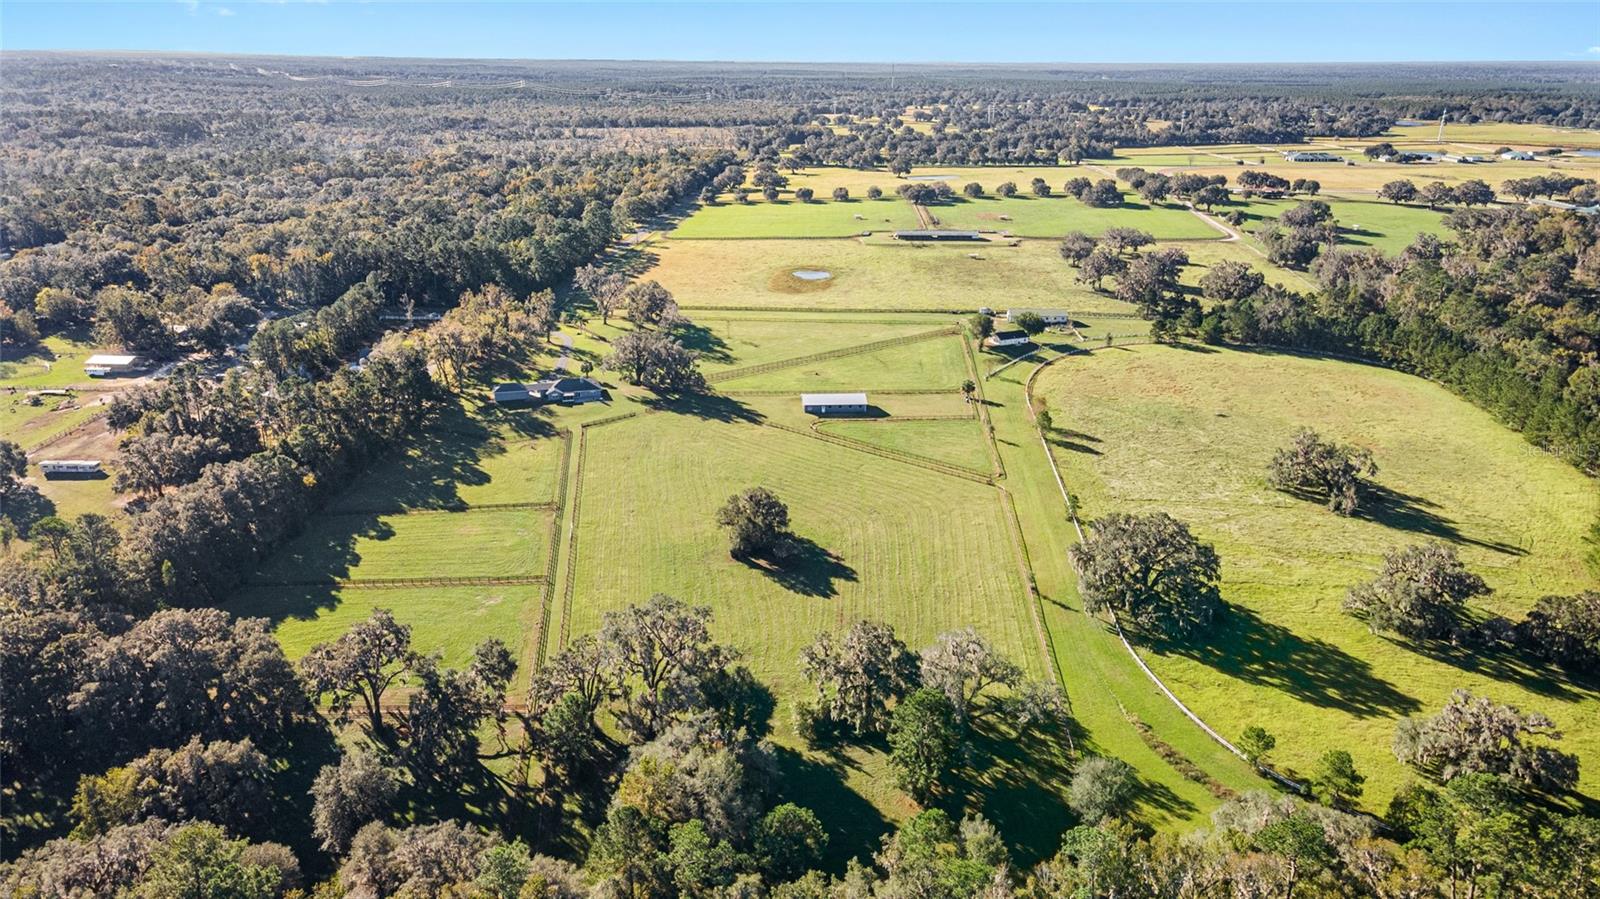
<point>788,217</point>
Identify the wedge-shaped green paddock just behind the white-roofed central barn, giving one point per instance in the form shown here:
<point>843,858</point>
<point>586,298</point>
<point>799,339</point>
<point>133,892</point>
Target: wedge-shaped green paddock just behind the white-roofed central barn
<point>932,364</point>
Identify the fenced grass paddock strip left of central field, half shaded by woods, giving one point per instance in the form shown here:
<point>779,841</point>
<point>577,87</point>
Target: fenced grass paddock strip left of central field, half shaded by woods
<point>426,516</point>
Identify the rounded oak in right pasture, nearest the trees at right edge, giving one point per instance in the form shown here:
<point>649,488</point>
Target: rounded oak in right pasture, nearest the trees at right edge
<point>1422,593</point>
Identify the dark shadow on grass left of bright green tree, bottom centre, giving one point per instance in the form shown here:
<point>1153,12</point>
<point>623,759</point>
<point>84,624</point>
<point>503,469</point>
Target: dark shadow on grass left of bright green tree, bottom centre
<point>855,828</point>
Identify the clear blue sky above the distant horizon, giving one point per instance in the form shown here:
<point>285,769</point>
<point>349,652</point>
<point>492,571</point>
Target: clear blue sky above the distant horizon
<point>977,31</point>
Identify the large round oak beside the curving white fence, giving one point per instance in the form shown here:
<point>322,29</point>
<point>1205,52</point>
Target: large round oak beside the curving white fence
<point>1151,570</point>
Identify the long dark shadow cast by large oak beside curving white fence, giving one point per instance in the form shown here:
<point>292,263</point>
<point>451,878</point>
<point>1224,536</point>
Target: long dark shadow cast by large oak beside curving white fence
<point>1311,671</point>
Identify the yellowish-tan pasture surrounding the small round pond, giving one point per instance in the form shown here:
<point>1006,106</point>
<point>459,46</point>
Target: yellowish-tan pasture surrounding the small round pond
<point>756,274</point>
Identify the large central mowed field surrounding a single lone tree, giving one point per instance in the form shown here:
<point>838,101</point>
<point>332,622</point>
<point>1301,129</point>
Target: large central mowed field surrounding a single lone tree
<point>922,551</point>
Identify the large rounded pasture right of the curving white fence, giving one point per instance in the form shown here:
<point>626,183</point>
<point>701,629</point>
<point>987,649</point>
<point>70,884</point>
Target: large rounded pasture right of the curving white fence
<point>1191,433</point>
